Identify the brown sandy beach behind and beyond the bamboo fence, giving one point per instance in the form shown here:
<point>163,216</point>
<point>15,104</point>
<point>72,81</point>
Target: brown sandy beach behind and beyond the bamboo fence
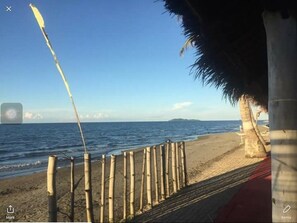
<point>28,194</point>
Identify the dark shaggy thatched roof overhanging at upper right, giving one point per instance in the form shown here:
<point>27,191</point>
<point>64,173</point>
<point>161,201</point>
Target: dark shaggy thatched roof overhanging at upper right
<point>230,42</point>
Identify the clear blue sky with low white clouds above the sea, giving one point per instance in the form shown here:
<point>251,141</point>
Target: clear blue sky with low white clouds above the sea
<point>121,60</point>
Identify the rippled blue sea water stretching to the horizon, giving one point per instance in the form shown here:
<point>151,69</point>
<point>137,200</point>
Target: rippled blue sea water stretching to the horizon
<point>24,149</point>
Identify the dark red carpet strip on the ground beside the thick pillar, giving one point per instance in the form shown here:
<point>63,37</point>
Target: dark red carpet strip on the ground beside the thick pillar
<point>253,201</point>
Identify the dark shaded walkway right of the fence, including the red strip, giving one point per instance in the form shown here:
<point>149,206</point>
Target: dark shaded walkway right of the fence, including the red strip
<point>239,195</point>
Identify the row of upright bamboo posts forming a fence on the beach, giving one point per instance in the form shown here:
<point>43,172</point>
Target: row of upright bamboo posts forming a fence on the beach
<point>162,173</point>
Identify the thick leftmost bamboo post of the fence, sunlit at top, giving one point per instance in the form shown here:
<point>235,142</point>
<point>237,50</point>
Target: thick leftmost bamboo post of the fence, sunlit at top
<point>51,188</point>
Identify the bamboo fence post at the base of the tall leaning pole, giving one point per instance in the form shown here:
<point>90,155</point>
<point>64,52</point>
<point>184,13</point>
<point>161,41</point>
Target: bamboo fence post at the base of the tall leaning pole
<point>88,187</point>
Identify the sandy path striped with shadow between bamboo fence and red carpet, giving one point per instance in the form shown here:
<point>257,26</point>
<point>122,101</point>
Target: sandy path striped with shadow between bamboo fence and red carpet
<point>214,188</point>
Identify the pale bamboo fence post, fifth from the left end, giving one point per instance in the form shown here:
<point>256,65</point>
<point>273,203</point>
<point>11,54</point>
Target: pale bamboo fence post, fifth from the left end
<point>111,188</point>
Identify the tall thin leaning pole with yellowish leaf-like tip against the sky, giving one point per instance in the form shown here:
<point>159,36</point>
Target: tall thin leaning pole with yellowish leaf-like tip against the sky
<point>41,25</point>
